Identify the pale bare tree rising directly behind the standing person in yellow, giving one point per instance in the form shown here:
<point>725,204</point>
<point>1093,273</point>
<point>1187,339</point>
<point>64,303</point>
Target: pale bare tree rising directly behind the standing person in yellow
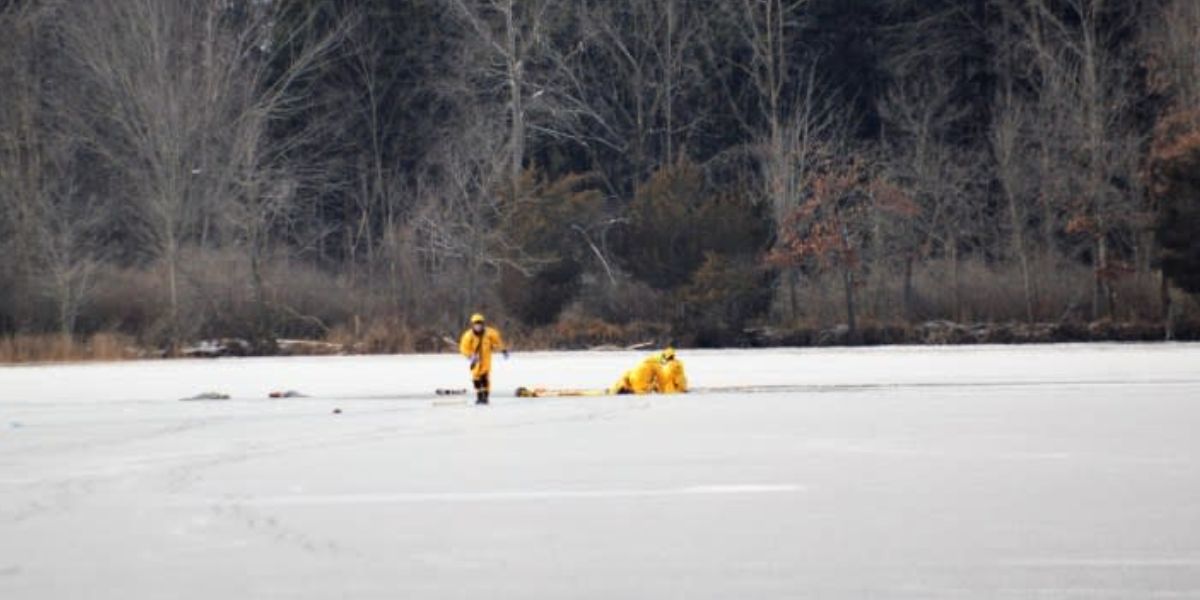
<point>533,52</point>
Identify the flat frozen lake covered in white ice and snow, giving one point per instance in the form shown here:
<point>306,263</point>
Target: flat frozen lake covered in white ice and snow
<point>909,473</point>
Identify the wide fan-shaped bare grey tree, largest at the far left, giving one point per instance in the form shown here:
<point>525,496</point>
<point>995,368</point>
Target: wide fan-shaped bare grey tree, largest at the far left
<point>152,111</point>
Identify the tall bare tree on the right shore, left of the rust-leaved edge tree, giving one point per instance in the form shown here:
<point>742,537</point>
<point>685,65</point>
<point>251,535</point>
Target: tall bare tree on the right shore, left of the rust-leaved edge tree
<point>1075,46</point>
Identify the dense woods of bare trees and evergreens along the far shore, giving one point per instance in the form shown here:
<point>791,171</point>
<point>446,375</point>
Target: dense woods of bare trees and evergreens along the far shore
<point>596,172</point>
